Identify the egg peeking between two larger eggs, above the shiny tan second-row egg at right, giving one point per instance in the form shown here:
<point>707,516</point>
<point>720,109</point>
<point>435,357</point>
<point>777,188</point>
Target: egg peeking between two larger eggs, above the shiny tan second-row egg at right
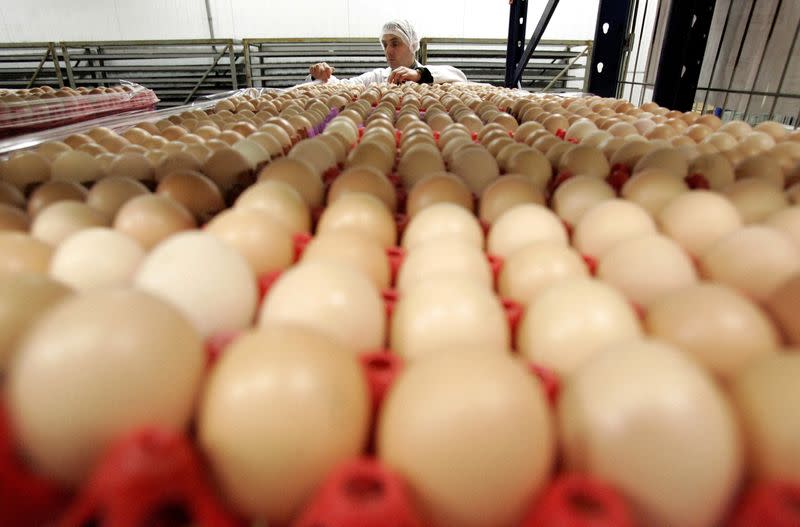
<point>697,219</point>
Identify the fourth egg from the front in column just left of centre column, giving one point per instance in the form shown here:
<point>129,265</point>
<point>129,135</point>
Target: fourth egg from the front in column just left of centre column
<point>362,213</point>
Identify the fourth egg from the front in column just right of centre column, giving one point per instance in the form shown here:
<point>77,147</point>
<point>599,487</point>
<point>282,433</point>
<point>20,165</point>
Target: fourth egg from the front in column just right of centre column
<point>522,225</point>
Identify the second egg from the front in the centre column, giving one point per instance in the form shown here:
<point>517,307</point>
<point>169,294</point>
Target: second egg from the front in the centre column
<point>445,313</point>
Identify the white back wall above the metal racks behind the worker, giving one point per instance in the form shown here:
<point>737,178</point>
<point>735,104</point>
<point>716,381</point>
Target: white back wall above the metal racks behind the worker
<point>55,20</point>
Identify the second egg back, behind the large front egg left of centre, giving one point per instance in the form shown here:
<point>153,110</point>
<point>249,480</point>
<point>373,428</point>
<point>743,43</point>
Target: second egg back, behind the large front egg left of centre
<point>331,298</point>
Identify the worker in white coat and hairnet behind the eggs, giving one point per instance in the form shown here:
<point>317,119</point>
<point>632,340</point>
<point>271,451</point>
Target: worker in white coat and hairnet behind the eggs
<point>400,45</point>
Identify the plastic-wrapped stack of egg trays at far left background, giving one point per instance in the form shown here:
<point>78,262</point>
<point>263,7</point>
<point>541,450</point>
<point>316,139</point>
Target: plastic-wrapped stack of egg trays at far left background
<point>45,109</point>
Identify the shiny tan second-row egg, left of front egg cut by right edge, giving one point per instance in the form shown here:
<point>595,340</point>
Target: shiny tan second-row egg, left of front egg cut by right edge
<point>716,325</point>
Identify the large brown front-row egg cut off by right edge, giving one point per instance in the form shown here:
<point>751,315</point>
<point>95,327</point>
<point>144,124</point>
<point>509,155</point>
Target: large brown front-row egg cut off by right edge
<point>765,395</point>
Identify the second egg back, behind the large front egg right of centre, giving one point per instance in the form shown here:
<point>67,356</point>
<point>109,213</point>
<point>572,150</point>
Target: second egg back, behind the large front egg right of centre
<point>573,319</point>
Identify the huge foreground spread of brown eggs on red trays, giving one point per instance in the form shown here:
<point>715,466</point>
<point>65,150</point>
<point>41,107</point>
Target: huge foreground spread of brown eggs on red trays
<point>230,270</point>
